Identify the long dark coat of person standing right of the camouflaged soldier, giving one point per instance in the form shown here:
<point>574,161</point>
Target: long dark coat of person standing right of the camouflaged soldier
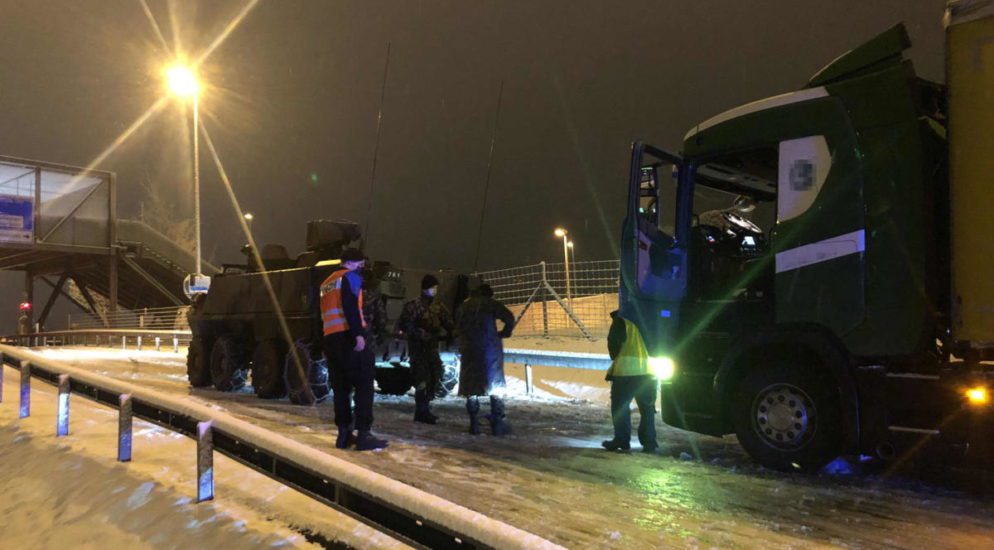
<point>482,354</point>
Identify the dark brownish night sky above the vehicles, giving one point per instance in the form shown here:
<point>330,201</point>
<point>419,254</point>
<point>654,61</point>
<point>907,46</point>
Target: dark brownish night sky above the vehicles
<point>295,89</point>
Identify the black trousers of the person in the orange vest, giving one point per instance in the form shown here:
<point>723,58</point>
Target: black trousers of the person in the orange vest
<point>350,373</point>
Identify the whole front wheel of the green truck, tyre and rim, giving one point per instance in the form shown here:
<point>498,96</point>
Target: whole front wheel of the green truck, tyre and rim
<point>788,417</point>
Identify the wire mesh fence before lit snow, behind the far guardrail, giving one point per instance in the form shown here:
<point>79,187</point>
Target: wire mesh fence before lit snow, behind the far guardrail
<point>547,302</point>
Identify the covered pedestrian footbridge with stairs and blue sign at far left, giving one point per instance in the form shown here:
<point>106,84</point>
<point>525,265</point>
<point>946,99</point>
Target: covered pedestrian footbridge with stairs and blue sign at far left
<point>59,225</point>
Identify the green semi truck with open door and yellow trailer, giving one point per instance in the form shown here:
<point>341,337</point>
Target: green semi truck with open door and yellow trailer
<point>843,301</point>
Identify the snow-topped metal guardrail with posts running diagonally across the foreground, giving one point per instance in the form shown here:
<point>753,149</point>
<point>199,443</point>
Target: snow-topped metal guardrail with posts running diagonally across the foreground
<point>407,513</point>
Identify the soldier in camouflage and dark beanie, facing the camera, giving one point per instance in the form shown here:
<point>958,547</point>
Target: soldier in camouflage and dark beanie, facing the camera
<point>424,321</point>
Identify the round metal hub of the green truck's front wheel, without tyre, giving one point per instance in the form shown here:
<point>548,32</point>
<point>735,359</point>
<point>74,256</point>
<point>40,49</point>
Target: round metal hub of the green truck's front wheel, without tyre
<point>783,416</point>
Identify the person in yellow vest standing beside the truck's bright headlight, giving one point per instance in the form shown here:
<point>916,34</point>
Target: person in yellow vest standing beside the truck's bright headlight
<point>630,378</point>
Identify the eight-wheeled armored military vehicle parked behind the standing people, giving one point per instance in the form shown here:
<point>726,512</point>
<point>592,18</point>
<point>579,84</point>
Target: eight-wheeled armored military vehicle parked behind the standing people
<point>260,322</point>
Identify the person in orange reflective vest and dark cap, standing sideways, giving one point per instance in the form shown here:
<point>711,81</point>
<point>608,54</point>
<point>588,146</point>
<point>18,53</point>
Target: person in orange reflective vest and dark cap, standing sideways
<point>351,365</point>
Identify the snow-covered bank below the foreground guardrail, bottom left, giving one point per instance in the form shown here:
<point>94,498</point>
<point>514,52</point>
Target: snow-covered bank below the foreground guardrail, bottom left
<point>72,493</point>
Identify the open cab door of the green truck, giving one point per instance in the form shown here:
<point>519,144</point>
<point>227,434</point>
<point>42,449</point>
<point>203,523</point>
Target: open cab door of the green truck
<point>653,262</point>
